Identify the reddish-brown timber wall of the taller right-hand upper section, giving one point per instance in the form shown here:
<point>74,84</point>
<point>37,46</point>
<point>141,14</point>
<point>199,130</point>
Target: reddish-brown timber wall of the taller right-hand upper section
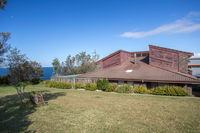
<point>172,60</point>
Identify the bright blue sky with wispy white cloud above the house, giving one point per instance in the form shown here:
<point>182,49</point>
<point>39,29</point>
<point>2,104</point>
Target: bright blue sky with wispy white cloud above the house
<point>45,29</point>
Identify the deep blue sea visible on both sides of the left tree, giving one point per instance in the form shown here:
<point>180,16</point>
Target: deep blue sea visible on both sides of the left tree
<point>47,72</point>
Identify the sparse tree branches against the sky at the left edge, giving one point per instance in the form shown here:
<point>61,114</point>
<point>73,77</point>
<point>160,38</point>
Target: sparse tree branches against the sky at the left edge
<point>4,46</point>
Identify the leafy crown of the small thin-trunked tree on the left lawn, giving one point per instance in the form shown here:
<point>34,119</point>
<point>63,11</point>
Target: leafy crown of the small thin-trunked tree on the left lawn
<point>21,69</point>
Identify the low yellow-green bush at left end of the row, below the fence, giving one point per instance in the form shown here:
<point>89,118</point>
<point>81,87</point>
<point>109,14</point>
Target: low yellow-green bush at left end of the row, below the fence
<point>61,85</point>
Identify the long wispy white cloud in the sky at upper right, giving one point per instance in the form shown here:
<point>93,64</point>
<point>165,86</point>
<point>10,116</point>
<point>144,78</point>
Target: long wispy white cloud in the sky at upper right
<point>187,24</point>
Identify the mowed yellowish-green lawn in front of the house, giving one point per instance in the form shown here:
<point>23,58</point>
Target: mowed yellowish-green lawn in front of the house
<point>75,111</point>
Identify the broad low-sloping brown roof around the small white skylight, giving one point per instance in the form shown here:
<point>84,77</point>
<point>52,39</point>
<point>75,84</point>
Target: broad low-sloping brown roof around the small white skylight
<point>141,72</point>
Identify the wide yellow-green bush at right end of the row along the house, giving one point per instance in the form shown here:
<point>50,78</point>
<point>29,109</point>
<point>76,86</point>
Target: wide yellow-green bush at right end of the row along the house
<point>169,91</point>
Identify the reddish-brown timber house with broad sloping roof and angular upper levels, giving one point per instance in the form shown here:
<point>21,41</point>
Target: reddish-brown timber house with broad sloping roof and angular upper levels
<point>156,67</point>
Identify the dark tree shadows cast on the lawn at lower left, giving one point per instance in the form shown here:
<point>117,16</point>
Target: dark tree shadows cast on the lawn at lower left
<point>14,115</point>
